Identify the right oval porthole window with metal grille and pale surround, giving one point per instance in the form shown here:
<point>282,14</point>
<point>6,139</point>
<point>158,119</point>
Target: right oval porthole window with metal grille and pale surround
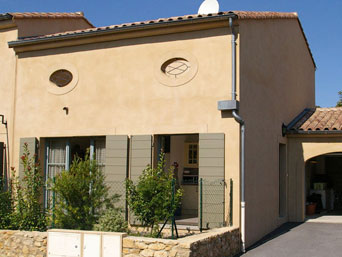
<point>176,68</point>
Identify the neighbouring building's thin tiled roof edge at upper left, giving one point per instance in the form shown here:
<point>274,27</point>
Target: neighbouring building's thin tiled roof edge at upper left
<point>43,15</point>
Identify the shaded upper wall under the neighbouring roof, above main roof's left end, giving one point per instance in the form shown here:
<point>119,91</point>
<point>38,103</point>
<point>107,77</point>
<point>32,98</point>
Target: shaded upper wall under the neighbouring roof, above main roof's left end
<point>40,26</point>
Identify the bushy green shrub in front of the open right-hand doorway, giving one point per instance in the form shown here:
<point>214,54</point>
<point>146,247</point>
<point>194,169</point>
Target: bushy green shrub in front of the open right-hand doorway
<point>151,198</point>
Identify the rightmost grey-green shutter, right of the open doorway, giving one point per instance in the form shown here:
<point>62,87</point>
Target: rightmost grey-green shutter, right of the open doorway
<point>211,171</point>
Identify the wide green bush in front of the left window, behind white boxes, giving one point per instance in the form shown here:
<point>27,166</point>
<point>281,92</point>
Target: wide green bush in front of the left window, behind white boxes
<point>81,195</point>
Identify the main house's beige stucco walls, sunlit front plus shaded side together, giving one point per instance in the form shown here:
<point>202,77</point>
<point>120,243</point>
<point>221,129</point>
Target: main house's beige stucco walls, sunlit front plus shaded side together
<point>117,92</point>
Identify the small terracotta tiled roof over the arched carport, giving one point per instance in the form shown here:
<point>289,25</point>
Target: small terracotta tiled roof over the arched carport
<point>318,120</point>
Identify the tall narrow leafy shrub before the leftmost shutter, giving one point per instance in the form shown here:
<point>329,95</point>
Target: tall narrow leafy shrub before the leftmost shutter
<point>28,212</point>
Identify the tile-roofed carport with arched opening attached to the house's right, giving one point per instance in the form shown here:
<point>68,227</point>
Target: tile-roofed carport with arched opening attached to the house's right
<point>314,159</point>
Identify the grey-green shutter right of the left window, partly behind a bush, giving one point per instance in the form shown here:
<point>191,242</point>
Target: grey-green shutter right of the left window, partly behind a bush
<point>116,166</point>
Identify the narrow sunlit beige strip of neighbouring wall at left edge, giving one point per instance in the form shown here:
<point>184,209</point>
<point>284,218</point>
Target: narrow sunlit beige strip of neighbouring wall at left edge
<point>7,80</point>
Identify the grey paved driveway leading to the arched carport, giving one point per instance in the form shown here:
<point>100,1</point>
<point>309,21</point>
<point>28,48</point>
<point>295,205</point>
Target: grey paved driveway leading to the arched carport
<point>300,239</point>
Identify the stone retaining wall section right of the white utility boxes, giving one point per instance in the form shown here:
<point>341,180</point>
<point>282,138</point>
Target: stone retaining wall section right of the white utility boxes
<point>223,242</point>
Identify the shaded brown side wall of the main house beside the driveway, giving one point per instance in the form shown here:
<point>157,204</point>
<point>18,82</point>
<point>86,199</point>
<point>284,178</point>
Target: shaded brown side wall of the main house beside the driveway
<point>277,82</point>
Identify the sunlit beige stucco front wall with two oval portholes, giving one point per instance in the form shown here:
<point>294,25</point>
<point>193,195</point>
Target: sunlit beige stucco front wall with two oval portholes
<point>117,92</point>
